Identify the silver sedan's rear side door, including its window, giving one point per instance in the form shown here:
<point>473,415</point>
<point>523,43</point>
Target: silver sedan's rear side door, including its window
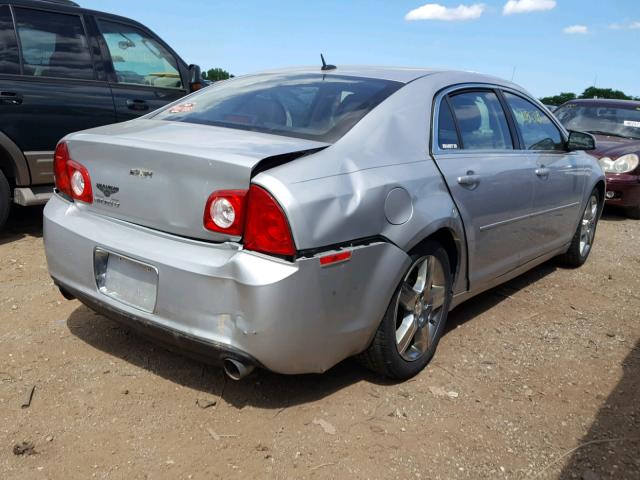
<point>489,179</point>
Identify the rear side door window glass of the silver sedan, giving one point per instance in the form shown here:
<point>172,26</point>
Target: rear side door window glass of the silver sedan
<point>482,122</point>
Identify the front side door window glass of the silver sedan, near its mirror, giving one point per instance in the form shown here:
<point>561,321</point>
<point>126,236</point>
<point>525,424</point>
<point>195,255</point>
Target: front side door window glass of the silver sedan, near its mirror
<point>537,130</point>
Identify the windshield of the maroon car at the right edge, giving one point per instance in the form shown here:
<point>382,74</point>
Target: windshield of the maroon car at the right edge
<point>608,119</point>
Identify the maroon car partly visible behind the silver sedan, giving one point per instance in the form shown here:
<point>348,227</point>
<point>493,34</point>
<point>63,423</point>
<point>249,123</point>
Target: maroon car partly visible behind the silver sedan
<point>616,126</point>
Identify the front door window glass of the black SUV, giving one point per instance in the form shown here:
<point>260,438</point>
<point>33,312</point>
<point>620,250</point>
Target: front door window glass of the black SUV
<point>138,59</point>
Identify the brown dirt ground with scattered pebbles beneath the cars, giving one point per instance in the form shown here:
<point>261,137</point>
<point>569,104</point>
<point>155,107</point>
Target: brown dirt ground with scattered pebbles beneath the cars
<point>537,379</point>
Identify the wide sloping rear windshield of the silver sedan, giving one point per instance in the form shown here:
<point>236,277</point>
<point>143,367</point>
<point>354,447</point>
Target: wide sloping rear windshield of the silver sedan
<point>315,107</point>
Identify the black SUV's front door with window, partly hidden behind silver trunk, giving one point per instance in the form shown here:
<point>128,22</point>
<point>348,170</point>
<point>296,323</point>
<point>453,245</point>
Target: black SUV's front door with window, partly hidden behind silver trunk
<point>144,74</point>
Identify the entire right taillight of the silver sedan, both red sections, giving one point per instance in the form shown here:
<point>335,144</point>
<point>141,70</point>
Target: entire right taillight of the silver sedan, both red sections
<point>253,214</point>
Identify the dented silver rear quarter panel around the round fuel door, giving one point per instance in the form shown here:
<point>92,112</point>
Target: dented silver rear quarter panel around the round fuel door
<point>338,195</point>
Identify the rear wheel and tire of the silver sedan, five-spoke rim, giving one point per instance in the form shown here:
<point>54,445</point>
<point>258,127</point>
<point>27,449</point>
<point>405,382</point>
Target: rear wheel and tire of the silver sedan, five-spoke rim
<point>390,353</point>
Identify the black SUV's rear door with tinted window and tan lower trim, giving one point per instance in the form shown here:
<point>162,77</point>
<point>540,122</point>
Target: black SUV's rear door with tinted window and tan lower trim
<point>54,89</point>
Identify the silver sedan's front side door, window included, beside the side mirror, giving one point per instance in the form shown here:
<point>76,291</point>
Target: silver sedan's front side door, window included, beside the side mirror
<point>559,180</point>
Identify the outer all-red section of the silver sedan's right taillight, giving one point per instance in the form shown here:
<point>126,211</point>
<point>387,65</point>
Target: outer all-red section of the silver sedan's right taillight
<point>266,226</point>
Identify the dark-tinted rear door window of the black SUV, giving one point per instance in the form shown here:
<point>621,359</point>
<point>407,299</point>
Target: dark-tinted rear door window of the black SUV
<point>53,45</point>
